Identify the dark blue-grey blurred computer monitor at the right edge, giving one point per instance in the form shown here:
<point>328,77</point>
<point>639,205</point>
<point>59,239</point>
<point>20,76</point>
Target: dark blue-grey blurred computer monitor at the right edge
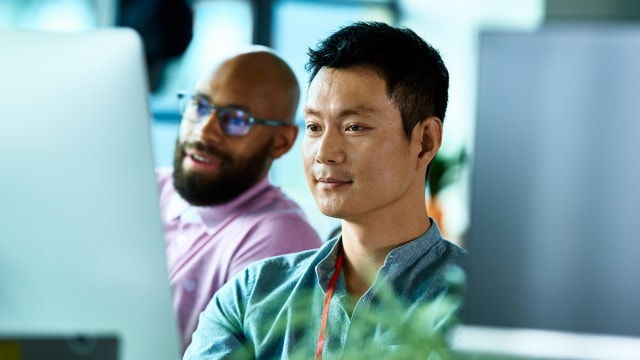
<point>554,239</point>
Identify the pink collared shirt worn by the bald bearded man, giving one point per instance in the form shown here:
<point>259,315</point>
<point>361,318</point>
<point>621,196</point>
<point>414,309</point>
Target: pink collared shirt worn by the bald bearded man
<point>206,246</point>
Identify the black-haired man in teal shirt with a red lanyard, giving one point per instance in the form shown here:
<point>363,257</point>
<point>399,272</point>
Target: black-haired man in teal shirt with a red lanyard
<point>388,285</point>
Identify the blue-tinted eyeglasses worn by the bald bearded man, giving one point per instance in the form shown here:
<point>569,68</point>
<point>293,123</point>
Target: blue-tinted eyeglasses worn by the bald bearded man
<point>233,121</point>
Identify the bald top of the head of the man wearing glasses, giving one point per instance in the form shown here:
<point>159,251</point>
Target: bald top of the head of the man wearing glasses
<point>260,75</point>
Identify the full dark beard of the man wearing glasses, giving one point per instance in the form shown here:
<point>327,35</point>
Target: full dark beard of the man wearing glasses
<point>234,178</point>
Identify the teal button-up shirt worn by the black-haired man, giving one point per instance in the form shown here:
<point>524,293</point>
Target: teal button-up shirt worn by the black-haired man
<point>273,309</point>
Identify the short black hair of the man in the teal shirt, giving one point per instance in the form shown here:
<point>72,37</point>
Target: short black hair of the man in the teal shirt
<point>416,77</point>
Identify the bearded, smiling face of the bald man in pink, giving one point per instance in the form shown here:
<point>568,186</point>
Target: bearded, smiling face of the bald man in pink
<point>212,168</point>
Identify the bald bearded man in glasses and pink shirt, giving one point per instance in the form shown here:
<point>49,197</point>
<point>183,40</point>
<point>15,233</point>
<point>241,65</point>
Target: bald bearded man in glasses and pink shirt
<point>220,211</point>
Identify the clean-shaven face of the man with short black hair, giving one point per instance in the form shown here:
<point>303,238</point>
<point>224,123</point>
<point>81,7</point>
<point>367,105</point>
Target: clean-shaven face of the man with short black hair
<point>357,159</point>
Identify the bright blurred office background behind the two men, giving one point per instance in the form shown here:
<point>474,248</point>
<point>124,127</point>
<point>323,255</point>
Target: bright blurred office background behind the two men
<point>292,26</point>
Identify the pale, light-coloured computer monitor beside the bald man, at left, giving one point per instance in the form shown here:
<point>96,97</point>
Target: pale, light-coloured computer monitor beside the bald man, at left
<point>82,259</point>
